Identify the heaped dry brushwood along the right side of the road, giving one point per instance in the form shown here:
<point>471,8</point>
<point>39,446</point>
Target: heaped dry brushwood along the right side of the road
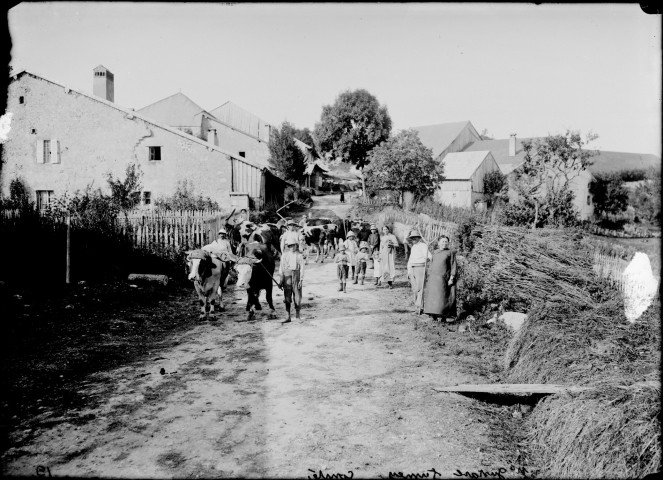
<point>576,333</point>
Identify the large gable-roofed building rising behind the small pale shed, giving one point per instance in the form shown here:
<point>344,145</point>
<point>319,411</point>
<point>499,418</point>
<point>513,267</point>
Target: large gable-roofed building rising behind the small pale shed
<point>446,138</point>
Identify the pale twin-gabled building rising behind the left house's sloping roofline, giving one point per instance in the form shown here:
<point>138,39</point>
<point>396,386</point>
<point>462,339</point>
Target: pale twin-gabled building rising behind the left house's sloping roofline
<point>228,126</point>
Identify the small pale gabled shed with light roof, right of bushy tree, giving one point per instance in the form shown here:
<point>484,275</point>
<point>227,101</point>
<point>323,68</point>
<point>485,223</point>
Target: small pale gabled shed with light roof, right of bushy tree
<point>464,173</point>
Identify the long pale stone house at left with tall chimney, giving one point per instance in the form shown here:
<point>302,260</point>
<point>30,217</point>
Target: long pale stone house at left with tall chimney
<point>62,140</point>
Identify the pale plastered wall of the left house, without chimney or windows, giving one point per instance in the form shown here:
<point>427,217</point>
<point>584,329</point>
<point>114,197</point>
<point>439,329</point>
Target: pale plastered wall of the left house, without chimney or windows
<point>96,138</point>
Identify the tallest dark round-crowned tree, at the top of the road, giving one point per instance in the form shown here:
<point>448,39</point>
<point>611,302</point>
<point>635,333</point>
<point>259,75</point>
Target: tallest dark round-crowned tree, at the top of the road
<point>350,128</point>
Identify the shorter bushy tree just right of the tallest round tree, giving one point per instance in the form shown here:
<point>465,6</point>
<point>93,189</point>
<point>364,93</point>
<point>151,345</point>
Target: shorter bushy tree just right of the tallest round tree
<point>403,164</point>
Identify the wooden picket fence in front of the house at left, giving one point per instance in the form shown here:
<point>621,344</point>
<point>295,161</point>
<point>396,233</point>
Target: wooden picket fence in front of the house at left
<point>178,230</point>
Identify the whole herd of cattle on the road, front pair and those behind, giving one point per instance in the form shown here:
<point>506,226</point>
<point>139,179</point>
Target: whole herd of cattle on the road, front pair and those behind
<point>255,249</point>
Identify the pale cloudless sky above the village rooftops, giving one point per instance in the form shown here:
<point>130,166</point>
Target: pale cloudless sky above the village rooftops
<point>508,68</point>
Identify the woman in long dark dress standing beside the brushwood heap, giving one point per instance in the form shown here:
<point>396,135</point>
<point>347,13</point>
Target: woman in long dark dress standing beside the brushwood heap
<point>440,285</point>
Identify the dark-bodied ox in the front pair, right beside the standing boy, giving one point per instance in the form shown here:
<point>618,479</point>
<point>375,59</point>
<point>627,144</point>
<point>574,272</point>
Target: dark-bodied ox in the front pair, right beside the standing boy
<point>255,272</point>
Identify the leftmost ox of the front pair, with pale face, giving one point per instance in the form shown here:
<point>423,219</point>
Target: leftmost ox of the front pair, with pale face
<point>208,273</point>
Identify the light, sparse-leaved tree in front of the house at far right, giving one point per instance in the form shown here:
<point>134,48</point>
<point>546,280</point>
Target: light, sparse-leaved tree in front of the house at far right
<point>550,164</point>
